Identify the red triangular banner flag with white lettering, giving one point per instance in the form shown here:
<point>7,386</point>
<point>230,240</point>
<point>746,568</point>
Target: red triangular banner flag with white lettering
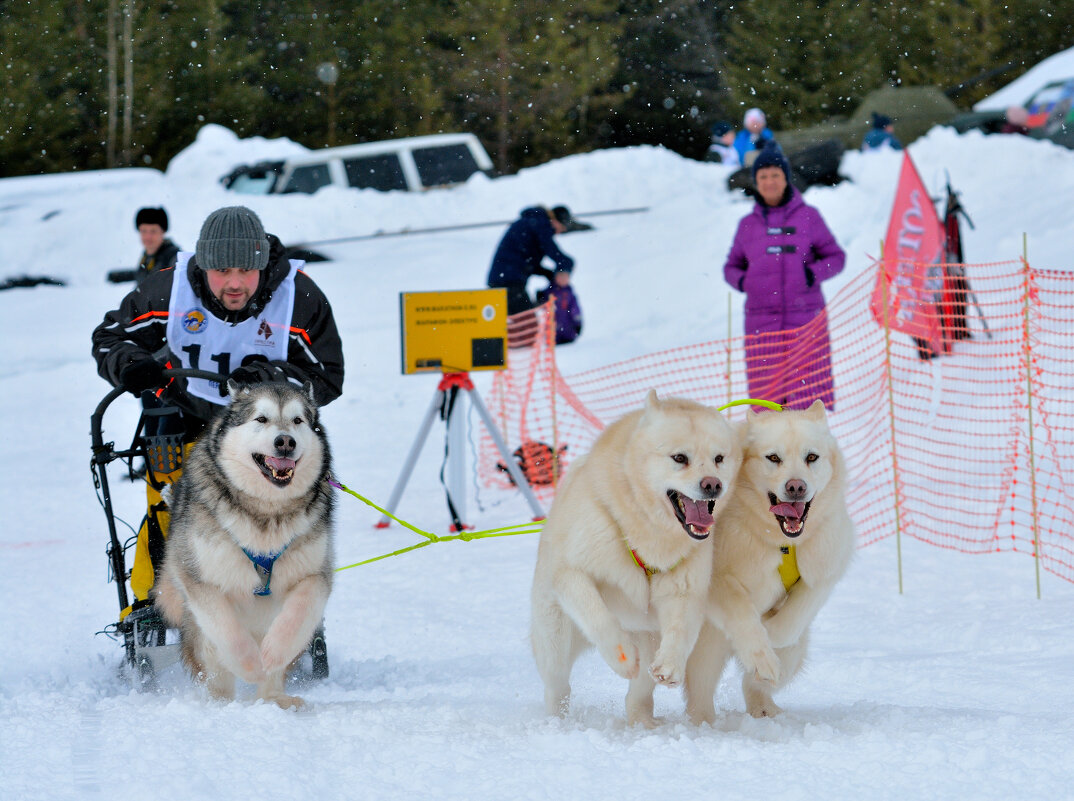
<point>913,254</point>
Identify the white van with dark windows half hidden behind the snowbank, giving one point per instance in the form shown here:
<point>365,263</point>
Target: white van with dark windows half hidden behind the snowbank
<point>412,165</point>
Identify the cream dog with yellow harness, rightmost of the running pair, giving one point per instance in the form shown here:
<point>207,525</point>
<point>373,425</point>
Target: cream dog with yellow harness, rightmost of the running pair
<point>790,492</point>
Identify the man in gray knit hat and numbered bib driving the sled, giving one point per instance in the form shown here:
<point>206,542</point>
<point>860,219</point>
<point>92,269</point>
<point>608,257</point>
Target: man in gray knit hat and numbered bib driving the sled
<point>238,308</point>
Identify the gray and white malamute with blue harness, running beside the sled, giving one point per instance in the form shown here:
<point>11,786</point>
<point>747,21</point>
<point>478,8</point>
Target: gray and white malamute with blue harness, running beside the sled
<point>248,567</point>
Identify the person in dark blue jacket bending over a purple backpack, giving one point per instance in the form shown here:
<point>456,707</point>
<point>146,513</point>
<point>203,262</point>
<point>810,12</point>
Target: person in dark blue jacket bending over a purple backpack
<point>520,254</point>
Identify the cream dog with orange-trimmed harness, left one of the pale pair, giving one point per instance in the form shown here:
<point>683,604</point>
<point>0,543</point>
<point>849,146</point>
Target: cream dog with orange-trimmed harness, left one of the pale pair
<point>651,485</point>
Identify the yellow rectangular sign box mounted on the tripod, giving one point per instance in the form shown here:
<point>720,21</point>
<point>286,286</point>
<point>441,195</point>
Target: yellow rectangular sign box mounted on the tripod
<point>454,332</point>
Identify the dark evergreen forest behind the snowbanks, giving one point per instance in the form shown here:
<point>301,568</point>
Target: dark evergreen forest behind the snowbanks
<point>96,84</point>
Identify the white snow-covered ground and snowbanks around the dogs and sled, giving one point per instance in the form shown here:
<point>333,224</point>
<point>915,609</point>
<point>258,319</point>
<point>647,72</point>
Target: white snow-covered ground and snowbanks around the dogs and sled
<point>953,690</point>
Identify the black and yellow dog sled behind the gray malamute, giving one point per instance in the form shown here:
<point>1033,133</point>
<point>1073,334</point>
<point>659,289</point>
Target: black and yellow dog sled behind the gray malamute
<point>150,645</point>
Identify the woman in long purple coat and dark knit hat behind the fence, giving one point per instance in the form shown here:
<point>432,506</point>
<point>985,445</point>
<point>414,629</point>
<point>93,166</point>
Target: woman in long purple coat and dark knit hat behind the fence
<point>781,254</point>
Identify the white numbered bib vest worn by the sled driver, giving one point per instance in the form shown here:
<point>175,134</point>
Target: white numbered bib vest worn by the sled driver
<point>204,342</point>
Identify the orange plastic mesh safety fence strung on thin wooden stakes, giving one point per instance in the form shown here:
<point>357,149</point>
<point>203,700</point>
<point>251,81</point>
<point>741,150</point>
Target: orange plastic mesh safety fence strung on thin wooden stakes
<point>973,450</point>
